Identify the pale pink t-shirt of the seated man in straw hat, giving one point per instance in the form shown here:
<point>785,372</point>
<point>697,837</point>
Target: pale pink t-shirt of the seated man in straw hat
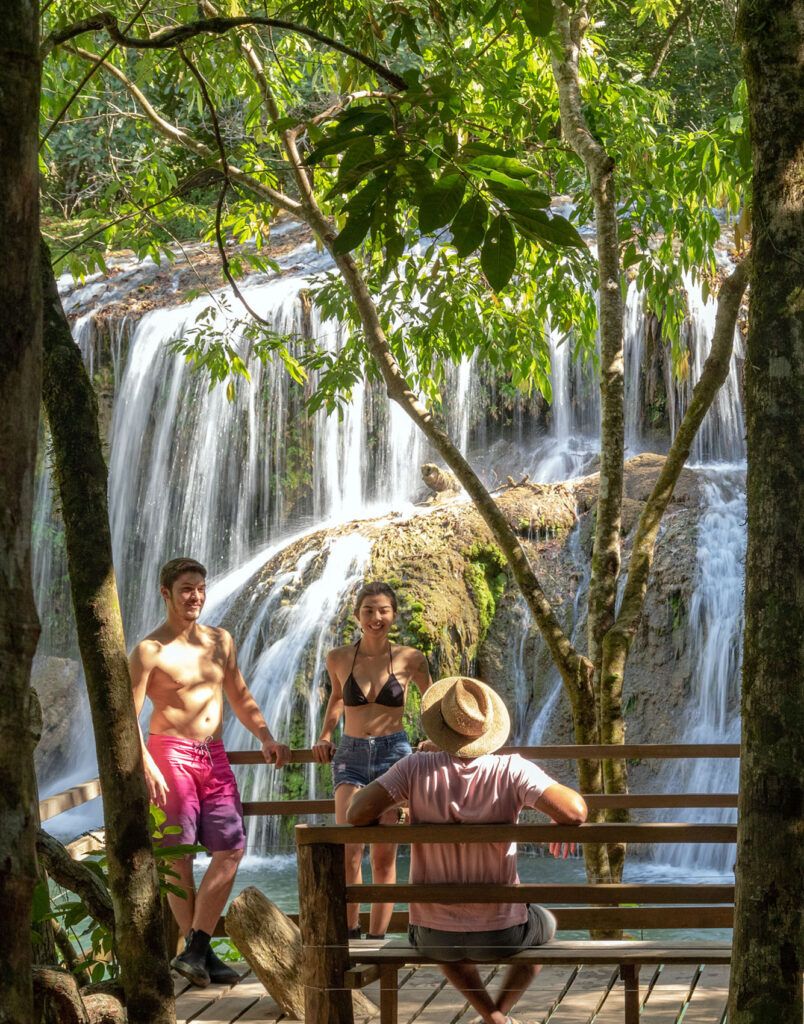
<point>490,790</point>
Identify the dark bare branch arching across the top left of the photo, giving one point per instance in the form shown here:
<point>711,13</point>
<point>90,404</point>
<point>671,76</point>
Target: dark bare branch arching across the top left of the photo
<point>170,38</point>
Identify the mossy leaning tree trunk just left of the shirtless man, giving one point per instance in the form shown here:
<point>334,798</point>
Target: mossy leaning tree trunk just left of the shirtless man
<point>81,476</point>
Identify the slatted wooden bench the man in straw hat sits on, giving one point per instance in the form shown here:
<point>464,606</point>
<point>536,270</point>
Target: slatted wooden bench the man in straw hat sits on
<point>333,966</point>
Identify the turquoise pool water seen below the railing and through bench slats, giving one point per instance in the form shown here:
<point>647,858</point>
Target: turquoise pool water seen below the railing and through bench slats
<point>276,877</point>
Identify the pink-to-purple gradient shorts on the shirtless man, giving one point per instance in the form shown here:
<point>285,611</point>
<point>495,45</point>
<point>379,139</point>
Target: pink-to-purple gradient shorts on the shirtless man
<point>203,798</point>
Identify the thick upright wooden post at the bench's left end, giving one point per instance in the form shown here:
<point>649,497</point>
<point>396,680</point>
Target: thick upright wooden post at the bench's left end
<point>324,936</point>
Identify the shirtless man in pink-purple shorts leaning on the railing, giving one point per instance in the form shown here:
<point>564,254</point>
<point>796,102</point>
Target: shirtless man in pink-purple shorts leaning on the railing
<point>186,668</point>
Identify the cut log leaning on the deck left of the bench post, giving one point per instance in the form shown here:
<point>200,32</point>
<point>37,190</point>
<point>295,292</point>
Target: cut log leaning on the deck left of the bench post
<point>272,946</point>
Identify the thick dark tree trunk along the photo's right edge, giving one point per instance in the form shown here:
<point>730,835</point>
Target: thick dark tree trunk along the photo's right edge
<point>766,983</point>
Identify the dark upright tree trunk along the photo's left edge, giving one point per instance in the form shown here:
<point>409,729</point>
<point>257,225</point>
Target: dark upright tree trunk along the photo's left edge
<point>21,369</point>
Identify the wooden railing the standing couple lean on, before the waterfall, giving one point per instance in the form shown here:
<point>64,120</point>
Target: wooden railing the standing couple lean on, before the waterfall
<point>78,795</point>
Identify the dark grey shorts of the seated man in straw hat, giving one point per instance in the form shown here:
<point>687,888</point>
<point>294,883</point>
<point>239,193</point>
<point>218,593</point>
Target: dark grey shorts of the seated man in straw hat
<point>504,943</point>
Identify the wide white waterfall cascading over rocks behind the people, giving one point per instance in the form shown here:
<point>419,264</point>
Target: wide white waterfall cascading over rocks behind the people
<point>233,483</point>
